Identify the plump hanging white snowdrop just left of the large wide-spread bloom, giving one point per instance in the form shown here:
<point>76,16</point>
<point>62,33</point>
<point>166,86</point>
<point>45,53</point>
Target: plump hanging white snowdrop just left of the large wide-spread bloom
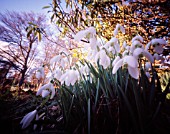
<point>104,60</point>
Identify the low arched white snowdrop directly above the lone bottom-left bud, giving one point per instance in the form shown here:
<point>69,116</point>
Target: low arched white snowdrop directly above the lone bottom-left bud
<point>45,93</point>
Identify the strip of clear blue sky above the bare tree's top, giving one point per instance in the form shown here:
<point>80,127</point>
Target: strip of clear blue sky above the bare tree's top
<point>24,5</point>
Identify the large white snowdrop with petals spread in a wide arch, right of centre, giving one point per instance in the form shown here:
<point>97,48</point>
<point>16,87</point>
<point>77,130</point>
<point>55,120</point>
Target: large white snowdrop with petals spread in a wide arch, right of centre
<point>132,66</point>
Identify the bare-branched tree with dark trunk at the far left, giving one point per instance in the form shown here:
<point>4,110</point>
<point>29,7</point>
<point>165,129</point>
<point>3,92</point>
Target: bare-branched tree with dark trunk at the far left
<point>21,50</point>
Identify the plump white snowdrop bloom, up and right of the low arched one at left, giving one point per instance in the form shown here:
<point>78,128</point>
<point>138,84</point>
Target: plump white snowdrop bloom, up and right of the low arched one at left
<point>69,77</point>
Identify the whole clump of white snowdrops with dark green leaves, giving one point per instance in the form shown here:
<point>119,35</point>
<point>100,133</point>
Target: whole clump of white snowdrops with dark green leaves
<point>114,89</point>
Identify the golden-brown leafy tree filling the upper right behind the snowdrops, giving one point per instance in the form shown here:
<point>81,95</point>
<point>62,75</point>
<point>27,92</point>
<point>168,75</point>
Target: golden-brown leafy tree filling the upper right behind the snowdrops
<point>150,19</point>
